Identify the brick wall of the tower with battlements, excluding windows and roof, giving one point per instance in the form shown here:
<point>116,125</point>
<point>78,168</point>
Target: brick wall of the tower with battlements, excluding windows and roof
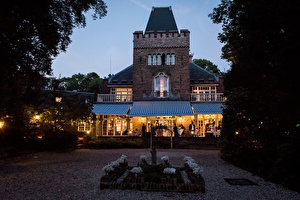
<point>143,75</point>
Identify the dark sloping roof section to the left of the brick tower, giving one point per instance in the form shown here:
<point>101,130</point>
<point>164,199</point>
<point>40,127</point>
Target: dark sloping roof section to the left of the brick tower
<point>123,77</point>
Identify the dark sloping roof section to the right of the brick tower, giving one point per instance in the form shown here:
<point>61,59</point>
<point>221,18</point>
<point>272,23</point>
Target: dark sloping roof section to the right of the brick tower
<point>198,74</point>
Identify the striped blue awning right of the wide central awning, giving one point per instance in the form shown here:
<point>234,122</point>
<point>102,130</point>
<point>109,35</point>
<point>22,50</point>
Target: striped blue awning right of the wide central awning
<point>207,108</point>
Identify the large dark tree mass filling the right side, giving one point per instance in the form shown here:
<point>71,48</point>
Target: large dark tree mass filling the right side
<point>261,41</point>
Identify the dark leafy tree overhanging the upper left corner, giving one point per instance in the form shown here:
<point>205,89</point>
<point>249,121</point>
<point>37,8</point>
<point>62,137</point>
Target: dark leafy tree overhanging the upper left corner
<point>32,34</point>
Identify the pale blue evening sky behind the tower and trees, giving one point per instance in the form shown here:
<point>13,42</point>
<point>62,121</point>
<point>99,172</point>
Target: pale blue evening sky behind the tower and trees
<point>105,46</point>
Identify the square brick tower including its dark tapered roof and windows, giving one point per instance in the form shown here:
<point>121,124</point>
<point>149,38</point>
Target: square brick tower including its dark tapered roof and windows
<point>161,59</point>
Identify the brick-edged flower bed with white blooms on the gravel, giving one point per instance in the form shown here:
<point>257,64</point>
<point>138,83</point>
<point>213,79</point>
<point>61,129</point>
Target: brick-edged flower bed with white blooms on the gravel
<point>159,177</point>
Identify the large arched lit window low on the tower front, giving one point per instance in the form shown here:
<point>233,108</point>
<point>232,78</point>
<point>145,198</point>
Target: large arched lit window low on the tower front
<point>161,85</point>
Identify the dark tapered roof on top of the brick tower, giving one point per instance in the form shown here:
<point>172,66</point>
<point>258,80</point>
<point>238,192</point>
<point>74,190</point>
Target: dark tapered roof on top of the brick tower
<point>161,19</point>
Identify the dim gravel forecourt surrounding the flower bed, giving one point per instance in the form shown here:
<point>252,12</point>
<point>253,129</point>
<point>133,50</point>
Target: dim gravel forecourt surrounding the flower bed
<point>76,175</point>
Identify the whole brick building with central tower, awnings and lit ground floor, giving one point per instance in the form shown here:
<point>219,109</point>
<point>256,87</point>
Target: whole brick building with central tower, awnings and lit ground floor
<point>162,88</point>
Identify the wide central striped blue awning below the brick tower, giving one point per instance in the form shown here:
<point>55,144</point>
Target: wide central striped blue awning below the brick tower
<point>161,108</point>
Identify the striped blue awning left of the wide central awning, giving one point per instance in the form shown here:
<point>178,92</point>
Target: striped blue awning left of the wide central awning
<point>111,108</point>
